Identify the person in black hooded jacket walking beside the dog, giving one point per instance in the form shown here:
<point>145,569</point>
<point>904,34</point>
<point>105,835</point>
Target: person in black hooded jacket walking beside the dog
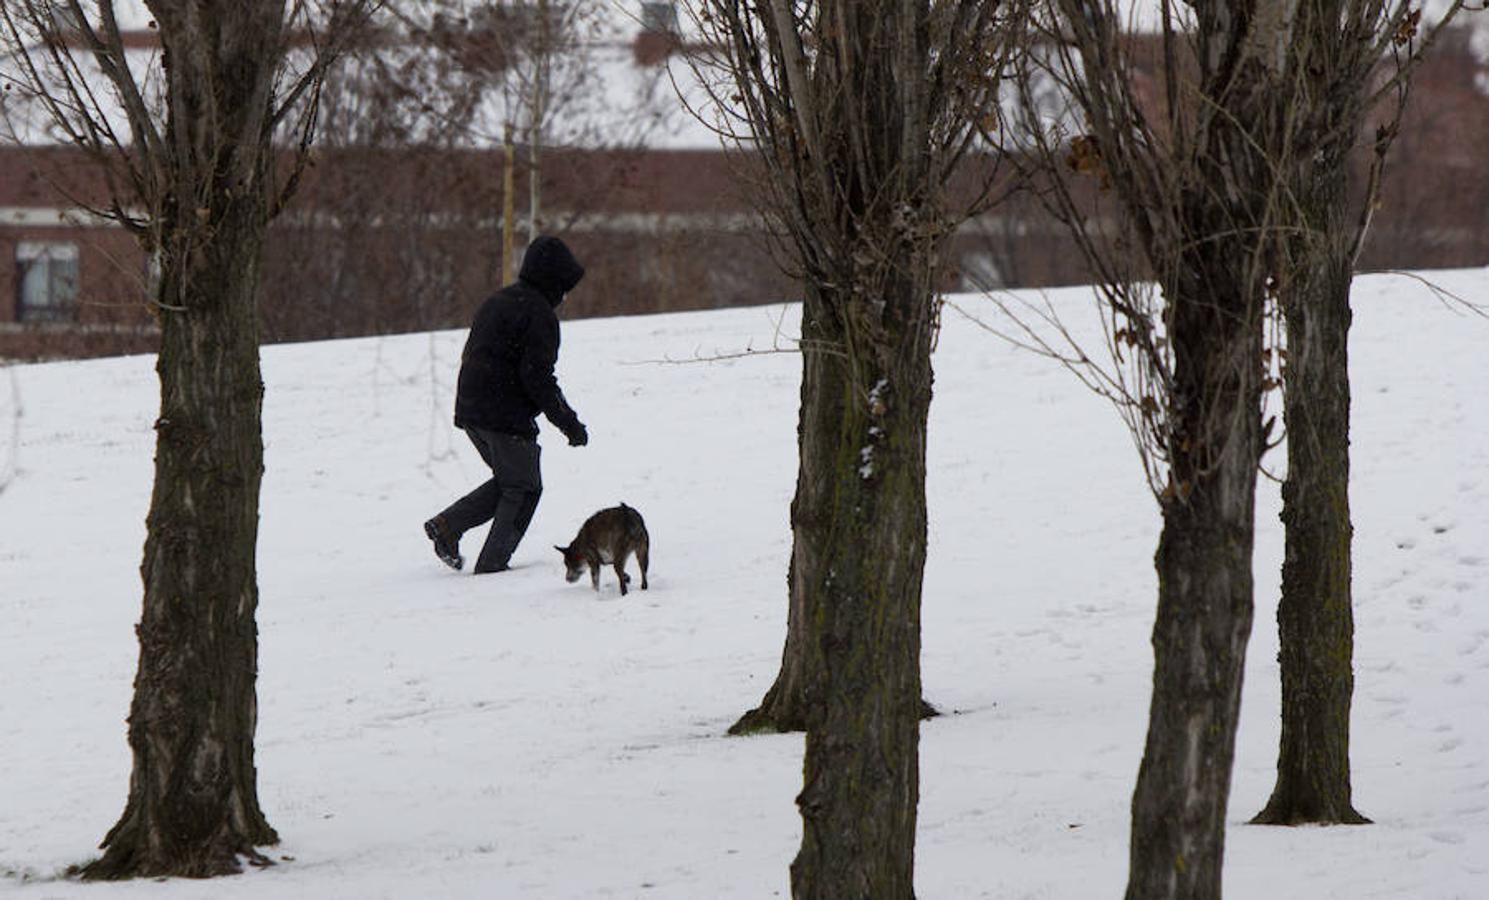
<point>507,379</point>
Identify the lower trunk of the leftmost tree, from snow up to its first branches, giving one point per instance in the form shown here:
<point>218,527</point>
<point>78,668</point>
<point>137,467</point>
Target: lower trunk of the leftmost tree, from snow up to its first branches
<point>194,804</point>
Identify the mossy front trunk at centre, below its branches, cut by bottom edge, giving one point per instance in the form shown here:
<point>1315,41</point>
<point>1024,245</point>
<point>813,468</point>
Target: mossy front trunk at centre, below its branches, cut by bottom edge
<point>861,543</point>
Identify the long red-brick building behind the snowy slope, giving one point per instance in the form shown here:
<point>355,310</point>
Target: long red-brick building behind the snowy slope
<point>389,241</point>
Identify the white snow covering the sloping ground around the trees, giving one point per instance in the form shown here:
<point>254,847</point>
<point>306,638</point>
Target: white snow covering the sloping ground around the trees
<point>425,734</point>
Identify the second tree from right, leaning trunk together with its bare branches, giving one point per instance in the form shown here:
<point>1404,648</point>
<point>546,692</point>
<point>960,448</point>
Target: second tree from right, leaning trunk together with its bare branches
<point>1186,282</point>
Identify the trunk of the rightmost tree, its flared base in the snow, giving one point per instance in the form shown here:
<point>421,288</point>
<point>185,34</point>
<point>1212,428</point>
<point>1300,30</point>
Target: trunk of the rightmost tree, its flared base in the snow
<point>1316,619</point>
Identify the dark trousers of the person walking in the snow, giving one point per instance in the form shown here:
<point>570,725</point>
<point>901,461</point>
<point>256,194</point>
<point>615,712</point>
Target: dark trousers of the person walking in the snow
<point>507,501</point>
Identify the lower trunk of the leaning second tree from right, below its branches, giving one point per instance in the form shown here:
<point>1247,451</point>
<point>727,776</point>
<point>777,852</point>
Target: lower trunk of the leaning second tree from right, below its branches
<point>1205,591</point>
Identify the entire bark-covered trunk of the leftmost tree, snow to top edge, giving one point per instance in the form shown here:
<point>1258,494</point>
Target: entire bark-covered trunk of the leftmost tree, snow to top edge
<point>194,808</point>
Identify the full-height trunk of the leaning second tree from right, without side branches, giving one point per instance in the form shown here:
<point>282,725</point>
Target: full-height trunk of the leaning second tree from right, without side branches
<point>1214,284</point>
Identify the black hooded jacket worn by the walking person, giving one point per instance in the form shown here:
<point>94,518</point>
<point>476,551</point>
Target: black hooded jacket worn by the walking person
<point>507,370</point>
